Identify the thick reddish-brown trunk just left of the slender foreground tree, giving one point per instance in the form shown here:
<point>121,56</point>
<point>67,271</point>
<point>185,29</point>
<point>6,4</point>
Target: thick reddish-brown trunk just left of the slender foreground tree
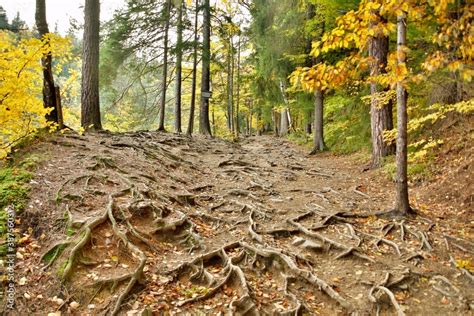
<point>380,114</point>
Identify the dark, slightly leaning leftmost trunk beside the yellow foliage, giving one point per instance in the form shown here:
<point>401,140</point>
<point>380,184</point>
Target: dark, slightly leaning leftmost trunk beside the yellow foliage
<point>49,95</point>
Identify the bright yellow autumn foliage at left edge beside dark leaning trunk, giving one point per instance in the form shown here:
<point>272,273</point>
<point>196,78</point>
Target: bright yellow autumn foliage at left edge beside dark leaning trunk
<point>21,102</point>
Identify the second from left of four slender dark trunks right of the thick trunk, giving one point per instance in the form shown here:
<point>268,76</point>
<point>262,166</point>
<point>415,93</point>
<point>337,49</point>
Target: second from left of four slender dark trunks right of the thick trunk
<point>179,57</point>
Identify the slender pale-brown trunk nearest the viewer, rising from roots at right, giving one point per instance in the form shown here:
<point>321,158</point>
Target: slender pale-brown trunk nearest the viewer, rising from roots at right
<point>402,204</point>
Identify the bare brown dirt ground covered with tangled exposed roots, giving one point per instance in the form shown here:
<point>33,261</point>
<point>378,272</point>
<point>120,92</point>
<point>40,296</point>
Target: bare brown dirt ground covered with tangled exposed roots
<point>151,223</point>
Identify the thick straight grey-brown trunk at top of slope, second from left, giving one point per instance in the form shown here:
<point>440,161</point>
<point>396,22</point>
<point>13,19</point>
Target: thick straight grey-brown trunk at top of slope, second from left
<point>90,110</point>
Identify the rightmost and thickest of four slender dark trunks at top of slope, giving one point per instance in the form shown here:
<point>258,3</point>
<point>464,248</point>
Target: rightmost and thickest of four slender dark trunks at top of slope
<point>204,126</point>
